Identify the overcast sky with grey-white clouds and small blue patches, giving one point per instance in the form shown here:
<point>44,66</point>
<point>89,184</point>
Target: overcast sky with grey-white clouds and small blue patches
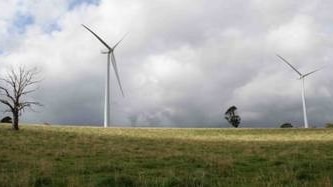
<point>183,64</point>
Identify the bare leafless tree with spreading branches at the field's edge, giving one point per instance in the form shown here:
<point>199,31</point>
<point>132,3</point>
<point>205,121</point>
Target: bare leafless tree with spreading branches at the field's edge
<point>14,89</point>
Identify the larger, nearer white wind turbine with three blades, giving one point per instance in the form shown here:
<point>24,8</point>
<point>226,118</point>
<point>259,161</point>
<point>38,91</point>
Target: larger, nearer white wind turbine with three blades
<point>111,56</point>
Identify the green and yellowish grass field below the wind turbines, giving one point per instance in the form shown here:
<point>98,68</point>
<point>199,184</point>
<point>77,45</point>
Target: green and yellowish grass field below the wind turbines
<point>77,156</point>
